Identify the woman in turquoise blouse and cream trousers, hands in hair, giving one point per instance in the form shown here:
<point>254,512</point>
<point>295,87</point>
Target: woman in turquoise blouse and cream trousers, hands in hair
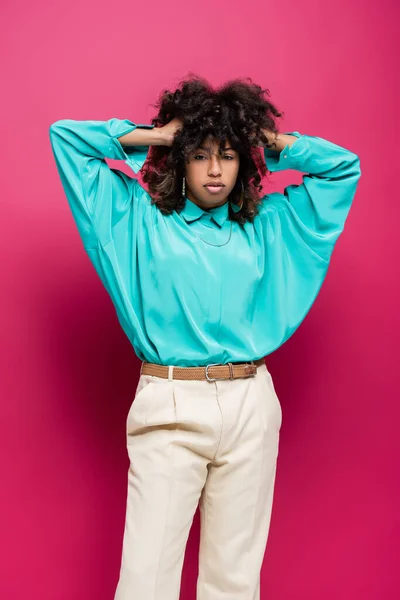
<point>207,277</point>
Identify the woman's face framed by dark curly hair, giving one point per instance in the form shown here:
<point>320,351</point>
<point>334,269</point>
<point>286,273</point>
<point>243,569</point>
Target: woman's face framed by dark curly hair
<point>206,165</point>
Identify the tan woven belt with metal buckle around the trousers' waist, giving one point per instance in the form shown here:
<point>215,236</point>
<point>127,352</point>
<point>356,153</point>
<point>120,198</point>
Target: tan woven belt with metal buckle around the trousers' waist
<point>212,372</point>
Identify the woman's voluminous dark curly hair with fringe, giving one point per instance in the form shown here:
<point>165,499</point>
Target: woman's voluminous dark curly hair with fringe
<point>236,111</point>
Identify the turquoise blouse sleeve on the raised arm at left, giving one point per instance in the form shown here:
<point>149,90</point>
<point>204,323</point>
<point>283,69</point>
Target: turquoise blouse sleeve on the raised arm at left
<point>98,195</point>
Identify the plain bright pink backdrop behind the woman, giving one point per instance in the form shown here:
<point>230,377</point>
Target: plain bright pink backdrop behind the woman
<point>68,372</point>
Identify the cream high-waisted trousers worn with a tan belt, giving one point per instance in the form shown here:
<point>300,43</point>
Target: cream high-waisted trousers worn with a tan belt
<point>207,444</point>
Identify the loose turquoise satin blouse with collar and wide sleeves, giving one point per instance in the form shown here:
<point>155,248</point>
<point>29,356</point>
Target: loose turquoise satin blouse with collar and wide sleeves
<point>180,300</point>
